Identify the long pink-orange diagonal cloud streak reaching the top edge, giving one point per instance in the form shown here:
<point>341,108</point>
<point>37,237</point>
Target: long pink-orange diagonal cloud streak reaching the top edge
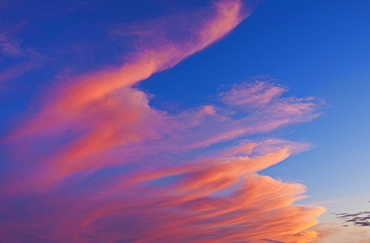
<point>71,99</point>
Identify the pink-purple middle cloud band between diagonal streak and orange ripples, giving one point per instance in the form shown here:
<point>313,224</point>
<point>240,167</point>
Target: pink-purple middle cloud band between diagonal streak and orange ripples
<point>118,122</point>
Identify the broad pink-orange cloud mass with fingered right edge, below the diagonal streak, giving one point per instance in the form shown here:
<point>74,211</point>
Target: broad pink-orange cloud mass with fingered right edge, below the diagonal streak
<point>179,188</point>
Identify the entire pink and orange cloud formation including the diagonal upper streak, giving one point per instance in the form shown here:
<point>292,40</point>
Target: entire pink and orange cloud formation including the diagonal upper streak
<point>97,163</point>
